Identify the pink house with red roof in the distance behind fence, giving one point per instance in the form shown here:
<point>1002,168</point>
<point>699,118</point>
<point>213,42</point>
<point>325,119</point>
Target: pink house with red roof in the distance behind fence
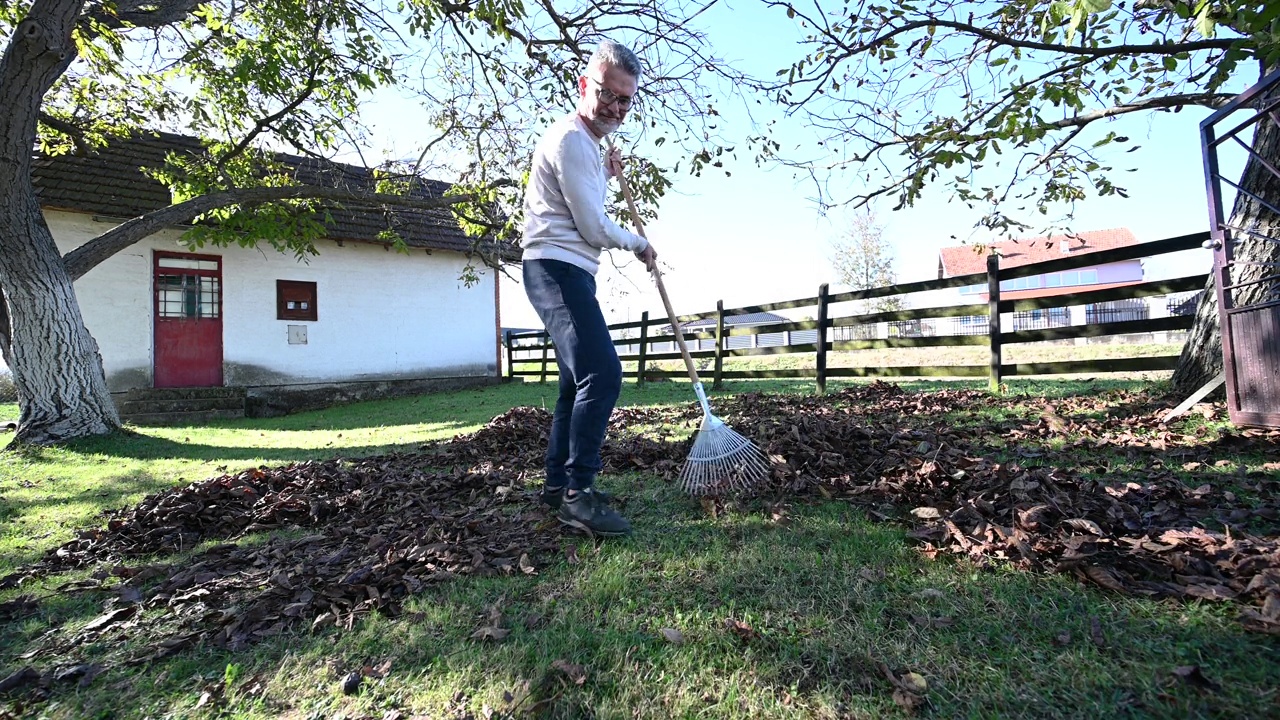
<point>963,261</point>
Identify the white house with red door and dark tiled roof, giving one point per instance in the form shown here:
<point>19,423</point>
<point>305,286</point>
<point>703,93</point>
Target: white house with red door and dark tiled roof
<point>358,321</point>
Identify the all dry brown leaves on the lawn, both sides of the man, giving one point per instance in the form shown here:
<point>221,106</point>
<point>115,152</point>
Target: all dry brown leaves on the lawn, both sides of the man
<point>365,534</point>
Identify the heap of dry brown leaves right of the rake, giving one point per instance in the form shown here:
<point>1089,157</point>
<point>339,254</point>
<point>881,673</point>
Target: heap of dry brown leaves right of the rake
<point>1090,487</point>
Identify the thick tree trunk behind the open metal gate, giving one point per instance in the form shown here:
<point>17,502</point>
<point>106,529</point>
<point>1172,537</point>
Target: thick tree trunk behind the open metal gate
<point>1203,356</point>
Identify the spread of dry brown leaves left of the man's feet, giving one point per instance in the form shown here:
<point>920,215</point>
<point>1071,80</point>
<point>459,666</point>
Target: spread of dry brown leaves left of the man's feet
<point>367,534</point>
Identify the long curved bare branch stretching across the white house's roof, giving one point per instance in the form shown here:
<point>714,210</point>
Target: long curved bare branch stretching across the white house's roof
<point>89,256</point>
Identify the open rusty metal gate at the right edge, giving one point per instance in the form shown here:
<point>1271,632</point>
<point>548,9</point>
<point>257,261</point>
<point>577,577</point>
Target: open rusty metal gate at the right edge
<point>1240,371</point>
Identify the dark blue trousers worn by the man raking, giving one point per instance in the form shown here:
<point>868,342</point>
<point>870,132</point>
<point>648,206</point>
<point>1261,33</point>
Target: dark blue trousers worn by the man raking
<point>591,375</point>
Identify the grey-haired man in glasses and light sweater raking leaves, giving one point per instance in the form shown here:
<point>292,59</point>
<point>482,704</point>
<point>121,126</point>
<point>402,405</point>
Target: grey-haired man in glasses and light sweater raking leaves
<point>566,229</point>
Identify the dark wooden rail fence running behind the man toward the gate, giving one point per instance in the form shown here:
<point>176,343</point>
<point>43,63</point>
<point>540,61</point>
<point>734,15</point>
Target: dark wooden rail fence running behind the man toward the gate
<point>531,354</point>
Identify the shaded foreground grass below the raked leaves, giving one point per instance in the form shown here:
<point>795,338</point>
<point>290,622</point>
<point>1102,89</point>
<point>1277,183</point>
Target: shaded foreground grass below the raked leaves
<point>826,603</point>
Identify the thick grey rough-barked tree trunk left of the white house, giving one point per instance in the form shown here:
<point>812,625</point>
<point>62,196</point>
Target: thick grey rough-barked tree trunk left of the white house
<point>57,368</point>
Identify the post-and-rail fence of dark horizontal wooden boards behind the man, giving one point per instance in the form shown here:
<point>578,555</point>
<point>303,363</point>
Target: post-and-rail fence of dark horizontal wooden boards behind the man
<point>1142,308</point>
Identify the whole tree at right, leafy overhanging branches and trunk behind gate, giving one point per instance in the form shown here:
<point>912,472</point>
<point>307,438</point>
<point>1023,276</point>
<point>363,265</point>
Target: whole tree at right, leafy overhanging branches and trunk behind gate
<point>1004,107</point>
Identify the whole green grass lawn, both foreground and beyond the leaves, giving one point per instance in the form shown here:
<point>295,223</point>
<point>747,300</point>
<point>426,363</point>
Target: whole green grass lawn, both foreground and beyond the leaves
<point>828,603</point>
